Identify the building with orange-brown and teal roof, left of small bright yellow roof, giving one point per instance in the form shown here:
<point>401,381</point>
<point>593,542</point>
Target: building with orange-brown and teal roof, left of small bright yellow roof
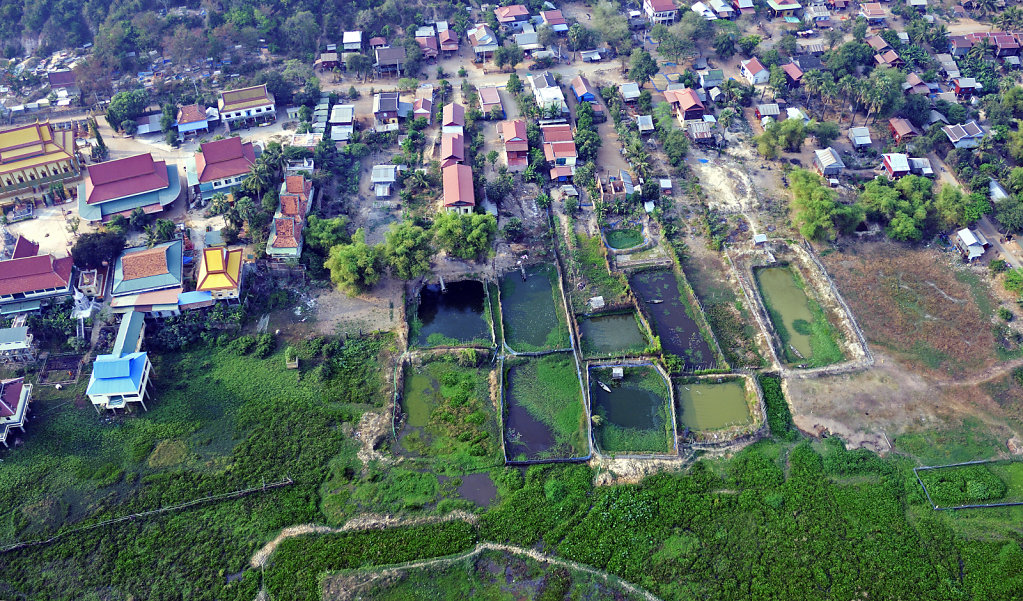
<point>149,281</point>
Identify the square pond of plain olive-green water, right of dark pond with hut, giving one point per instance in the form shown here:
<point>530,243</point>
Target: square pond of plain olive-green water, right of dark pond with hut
<point>723,406</point>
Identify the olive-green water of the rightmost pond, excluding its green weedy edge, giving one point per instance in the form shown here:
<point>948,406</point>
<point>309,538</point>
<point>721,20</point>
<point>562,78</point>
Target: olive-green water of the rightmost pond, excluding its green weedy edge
<point>788,304</point>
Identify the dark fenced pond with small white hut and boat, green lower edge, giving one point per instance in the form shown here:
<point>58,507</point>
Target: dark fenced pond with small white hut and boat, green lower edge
<point>635,418</point>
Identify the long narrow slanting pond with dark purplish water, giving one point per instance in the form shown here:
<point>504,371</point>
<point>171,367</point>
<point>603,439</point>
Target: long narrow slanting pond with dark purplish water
<point>659,293</point>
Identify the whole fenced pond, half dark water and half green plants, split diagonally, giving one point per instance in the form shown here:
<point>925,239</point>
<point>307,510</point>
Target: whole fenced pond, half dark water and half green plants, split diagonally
<point>545,415</point>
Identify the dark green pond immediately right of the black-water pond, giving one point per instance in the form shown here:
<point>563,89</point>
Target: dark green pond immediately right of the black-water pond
<point>533,311</point>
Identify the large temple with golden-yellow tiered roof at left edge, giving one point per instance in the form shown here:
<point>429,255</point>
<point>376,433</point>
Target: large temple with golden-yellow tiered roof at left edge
<point>34,156</point>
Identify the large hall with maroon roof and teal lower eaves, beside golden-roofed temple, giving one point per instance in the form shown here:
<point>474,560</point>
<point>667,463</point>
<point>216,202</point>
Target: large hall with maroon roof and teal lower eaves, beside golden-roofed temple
<point>120,187</point>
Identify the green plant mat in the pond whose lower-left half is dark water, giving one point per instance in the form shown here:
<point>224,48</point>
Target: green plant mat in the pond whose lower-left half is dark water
<point>548,388</point>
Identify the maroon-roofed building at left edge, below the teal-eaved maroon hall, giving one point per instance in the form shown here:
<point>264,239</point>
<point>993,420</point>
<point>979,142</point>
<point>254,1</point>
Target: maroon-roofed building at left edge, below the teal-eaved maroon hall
<point>29,280</point>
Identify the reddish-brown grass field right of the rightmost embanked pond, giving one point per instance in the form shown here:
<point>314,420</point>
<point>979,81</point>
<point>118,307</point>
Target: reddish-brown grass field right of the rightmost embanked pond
<point>912,303</point>
